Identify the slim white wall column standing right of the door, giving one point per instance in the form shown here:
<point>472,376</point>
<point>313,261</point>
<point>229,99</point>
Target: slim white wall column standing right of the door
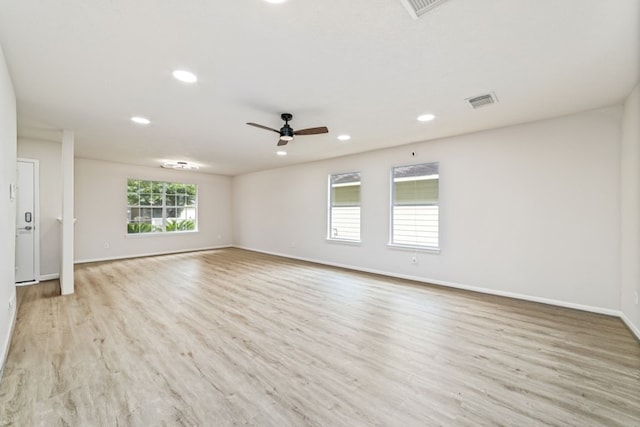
<point>66,267</point>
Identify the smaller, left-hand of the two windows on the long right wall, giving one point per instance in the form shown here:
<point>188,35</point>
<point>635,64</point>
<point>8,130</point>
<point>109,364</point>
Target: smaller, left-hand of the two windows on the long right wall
<point>344,206</point>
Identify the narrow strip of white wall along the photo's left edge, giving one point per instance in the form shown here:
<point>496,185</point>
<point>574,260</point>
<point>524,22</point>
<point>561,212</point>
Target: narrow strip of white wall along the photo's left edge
<point>8,138</point>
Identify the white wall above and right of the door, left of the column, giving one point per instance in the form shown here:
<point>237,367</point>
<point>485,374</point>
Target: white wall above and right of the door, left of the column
<point>49,155</point>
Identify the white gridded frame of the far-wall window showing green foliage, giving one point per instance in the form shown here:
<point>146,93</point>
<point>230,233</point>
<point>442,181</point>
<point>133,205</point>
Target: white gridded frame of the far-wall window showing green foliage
<point>160,227</point>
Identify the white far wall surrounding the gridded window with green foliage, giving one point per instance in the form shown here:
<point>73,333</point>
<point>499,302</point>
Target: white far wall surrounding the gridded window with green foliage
<point>101,212</point>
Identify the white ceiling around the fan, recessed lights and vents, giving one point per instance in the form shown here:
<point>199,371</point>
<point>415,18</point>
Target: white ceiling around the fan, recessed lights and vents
<point>362,67</point>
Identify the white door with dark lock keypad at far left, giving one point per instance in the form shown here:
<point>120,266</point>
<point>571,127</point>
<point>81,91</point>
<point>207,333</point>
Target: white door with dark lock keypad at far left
<point>27,223</point>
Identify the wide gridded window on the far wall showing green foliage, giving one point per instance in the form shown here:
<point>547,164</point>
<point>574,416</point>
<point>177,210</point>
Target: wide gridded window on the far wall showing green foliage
<point>159,207</point>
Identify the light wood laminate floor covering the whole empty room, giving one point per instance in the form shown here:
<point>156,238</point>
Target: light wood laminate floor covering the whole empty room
<point>231,337</point>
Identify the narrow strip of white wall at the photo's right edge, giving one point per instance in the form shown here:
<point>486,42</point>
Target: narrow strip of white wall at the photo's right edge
<point>630,215</point>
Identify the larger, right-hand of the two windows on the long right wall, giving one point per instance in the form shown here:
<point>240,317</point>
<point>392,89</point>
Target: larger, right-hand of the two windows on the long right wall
<point>414,212</point>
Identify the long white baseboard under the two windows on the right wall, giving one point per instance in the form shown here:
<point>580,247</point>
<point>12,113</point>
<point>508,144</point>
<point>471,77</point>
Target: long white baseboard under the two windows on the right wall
<point>559,303</point>
